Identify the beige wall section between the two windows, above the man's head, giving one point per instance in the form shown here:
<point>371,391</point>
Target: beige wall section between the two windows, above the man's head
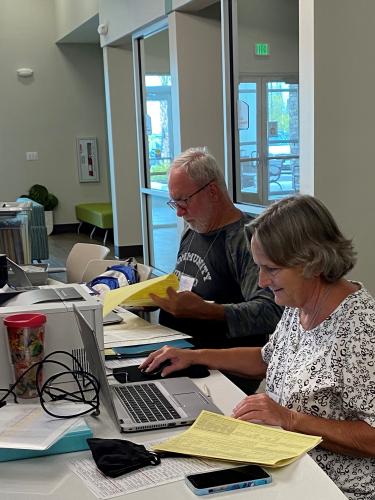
<point>197,83</point>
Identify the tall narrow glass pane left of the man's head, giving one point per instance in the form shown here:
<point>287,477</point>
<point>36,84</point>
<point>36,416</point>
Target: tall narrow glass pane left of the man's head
<point>155,147</point>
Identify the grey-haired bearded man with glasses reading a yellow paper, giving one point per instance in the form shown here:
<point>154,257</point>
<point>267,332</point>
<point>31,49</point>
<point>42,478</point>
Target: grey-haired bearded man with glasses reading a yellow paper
<point>221,304</point>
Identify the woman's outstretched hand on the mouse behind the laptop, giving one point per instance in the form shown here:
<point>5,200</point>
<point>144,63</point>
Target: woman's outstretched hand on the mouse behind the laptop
<point>177,359</point>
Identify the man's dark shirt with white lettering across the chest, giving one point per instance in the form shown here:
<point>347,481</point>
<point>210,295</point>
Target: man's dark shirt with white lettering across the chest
<point>223,270</point>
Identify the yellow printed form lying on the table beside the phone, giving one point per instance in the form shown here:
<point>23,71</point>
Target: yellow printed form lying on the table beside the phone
<point>226,438</point>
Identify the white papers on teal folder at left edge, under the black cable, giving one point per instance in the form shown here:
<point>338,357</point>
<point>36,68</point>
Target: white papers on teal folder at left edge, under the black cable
<point>27,426</point>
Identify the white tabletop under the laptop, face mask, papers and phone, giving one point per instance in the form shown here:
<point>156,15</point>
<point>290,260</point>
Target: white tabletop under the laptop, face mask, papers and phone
<point>51,478</point>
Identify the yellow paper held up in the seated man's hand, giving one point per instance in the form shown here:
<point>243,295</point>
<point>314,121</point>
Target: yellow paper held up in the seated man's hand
<point>138,294</point>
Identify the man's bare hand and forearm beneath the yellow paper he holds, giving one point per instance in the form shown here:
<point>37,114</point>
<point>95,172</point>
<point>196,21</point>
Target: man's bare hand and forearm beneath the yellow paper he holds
<point>188,305</point>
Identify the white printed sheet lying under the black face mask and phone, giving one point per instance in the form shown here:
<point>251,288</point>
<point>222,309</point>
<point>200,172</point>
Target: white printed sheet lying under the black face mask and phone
<point>168,471</point>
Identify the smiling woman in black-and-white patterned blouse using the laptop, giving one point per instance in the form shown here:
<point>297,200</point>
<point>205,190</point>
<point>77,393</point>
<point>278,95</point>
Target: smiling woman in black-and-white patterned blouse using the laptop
<point>320,361</point>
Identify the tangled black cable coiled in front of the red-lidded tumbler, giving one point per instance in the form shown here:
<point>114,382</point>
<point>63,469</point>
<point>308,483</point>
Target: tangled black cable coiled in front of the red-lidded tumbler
<point>85,381</point>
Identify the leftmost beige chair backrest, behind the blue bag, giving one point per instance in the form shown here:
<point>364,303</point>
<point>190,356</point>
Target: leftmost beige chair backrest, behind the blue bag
<point>78,258</point>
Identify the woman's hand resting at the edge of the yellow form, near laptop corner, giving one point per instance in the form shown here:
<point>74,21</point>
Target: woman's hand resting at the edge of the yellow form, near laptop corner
<point>261,409</point>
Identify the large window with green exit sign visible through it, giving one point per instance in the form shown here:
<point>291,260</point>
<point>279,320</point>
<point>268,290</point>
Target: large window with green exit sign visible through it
<point>261,100</point>
